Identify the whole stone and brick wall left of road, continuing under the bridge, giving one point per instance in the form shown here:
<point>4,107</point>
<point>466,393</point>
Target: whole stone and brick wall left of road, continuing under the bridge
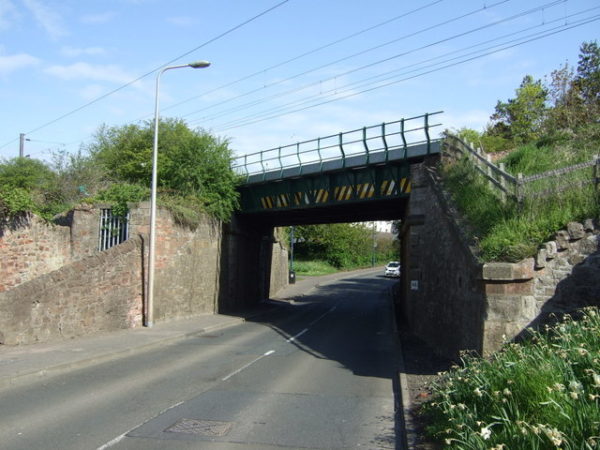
<point>56,284</point>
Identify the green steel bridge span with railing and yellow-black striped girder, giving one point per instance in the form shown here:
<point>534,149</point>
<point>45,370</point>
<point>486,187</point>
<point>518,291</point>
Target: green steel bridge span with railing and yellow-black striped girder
<point>370,163</point>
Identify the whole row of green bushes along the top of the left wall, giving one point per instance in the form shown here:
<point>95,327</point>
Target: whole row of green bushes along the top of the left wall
<point>194,174</point>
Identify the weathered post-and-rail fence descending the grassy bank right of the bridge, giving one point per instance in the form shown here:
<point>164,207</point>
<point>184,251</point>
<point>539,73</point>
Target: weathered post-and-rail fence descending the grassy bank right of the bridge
<point>521,187</point>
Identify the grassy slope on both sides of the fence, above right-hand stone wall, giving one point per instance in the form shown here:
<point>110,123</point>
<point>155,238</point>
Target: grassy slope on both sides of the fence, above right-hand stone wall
<point>509,232</point>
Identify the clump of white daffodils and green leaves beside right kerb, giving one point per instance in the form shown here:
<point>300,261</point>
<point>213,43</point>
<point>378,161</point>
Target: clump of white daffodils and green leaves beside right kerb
<point>543,393</point>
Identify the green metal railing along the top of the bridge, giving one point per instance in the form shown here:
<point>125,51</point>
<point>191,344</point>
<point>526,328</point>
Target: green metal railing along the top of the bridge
<point>373,143</point>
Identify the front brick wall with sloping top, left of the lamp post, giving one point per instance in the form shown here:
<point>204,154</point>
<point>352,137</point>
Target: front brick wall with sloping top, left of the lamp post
<point>97,293</point>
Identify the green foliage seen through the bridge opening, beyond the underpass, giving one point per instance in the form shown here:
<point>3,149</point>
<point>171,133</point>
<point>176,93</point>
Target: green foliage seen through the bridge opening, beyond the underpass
<point>342,245</point>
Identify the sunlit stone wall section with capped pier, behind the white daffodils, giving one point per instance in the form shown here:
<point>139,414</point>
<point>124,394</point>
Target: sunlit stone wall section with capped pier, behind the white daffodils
<point>564,277</point>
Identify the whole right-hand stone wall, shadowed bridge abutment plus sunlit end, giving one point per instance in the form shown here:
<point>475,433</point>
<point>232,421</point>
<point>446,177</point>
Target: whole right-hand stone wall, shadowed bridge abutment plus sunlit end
<point>455,302</point>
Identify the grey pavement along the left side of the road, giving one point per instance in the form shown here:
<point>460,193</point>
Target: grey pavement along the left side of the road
<point>28,363</point>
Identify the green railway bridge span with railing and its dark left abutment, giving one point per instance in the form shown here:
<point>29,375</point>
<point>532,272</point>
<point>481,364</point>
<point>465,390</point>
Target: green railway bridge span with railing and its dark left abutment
<point>355,176</point>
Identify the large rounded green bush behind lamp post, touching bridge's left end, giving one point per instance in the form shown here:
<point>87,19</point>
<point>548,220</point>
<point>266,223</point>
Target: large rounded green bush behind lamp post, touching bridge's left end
<point>190,162</point>
